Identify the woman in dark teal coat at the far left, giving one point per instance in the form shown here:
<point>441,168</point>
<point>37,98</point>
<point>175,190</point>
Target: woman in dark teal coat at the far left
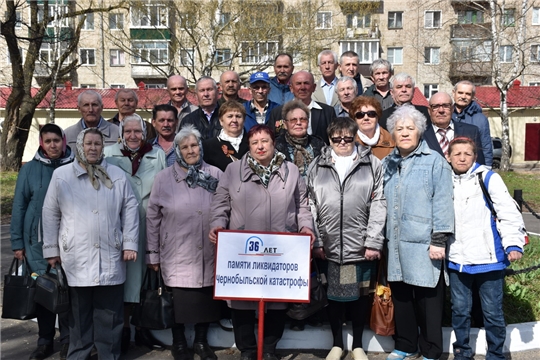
<point>26,232</point>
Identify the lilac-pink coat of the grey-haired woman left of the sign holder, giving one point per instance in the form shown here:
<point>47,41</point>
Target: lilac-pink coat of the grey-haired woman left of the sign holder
<point>177,228</point>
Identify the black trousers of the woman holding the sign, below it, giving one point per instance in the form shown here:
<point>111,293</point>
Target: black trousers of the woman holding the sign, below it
<point>244,329</point>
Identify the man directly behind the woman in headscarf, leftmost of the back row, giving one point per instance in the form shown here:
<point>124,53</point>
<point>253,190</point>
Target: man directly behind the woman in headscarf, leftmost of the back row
<point>90,105</point>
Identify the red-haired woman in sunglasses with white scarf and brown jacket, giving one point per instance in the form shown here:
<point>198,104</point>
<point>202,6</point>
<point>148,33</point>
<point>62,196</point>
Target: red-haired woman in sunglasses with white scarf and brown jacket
<point>367,111</point>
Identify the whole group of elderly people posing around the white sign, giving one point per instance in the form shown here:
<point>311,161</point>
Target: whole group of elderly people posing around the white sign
<point>359,168</point>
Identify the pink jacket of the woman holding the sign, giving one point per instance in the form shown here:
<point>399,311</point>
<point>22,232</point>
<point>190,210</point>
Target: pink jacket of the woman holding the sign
<point>241,202</point>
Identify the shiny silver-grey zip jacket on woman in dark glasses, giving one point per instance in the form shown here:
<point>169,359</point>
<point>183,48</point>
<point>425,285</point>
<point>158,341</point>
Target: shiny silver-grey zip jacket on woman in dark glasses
<point>350,217</point>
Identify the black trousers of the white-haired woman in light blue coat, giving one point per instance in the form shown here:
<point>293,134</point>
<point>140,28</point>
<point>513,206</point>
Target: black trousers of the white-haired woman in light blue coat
<point>419,307</point>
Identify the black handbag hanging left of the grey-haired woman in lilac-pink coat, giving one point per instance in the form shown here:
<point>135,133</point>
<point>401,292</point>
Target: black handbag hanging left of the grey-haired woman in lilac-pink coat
<point>155,309</point>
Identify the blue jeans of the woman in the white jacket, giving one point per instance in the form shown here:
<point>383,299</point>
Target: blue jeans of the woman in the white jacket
<point>490,286</point>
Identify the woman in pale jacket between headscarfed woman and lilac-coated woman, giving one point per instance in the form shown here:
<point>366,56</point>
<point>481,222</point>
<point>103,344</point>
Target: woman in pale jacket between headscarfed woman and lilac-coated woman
<point>141,162</point>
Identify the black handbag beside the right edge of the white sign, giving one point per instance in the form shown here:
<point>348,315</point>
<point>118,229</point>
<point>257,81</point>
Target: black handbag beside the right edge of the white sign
<point>317,298</point>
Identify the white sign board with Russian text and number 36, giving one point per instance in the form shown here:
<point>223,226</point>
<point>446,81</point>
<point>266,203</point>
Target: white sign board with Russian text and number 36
<point>268,266</point>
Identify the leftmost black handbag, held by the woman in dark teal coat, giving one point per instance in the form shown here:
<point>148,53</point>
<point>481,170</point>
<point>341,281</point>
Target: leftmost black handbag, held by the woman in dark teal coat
<point>19,290</point>
